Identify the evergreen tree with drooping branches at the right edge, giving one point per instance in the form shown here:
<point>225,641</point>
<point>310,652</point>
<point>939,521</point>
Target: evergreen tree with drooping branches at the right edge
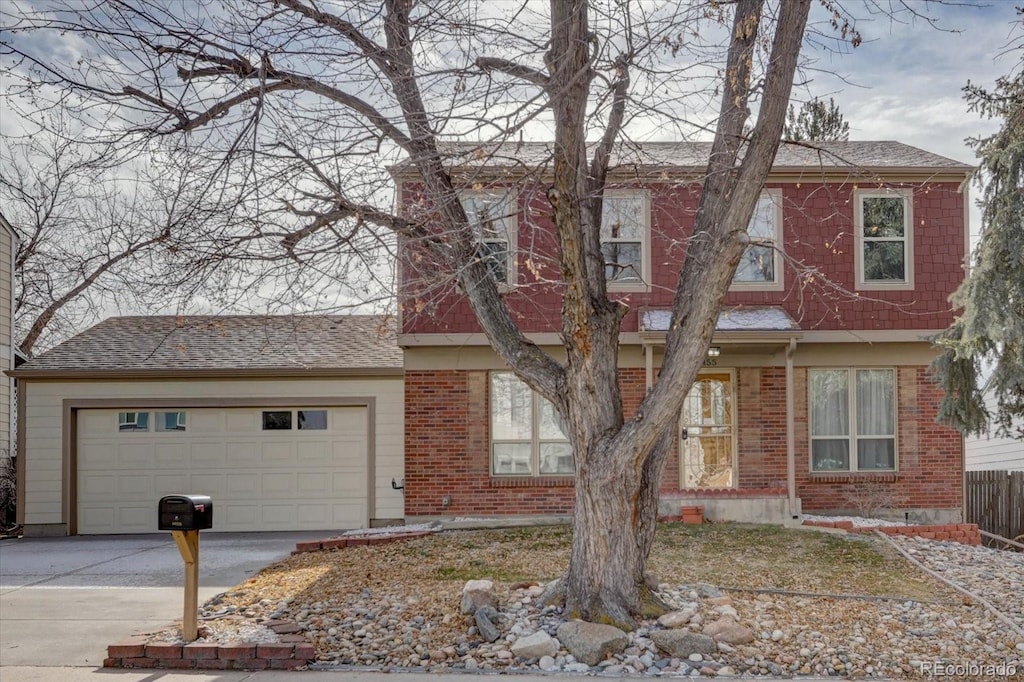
<point>990,331</point>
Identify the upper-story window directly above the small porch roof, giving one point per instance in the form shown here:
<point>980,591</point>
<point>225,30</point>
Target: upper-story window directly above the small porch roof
<point>761,266</point>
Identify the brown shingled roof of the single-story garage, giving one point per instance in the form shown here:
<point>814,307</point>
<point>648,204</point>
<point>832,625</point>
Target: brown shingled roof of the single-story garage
<point>212,346</point>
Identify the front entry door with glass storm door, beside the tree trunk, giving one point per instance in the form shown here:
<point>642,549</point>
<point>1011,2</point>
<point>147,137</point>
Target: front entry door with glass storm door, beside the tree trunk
<point>707,435</point>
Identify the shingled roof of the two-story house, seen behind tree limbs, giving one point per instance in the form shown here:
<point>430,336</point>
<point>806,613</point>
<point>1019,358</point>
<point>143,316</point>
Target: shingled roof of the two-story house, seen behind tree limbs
<point>877,156</point>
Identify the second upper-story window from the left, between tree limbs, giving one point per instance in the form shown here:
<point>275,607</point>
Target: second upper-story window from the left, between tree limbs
<point>625,238</point>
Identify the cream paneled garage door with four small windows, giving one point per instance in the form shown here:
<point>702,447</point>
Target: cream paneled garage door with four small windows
<point>265,468</point>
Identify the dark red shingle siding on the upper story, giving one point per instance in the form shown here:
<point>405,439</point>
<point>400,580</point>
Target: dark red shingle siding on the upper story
<point>818,231</point>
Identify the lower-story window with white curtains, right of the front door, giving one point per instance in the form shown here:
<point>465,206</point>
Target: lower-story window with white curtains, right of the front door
<point>854,420</point>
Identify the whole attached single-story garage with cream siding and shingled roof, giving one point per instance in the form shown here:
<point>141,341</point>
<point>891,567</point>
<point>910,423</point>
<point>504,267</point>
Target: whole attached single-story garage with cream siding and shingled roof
<point>278,448</point>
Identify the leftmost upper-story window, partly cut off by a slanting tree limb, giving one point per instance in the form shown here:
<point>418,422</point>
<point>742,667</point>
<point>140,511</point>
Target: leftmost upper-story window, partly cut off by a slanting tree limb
<point>492,216</point>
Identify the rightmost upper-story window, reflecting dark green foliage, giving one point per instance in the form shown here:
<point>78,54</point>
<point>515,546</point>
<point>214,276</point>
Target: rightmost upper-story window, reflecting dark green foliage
<point>885,239</point>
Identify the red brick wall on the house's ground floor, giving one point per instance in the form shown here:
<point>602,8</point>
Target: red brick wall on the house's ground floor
<point>448,454</point>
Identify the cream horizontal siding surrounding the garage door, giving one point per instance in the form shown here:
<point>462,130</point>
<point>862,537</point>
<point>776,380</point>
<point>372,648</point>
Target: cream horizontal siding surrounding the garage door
<point>45,428</point>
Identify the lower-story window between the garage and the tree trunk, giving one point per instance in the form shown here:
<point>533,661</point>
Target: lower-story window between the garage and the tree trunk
<point>528,437</point>
